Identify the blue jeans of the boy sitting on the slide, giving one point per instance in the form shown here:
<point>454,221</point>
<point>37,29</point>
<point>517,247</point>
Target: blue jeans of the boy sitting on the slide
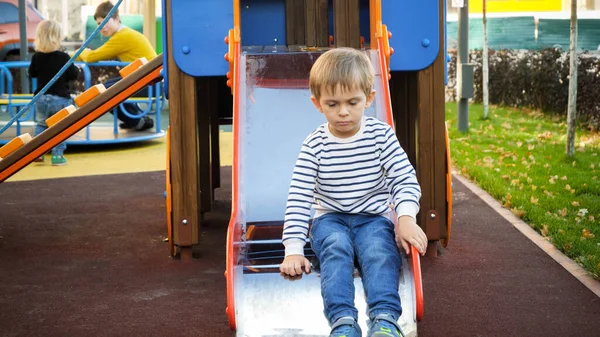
<point>339,240</point>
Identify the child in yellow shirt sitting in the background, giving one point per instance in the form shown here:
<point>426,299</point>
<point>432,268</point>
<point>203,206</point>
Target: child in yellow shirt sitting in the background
<point>127,45</point>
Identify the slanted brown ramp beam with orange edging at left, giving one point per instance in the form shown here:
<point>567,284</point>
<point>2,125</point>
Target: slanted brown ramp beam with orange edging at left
<point>80,118</point>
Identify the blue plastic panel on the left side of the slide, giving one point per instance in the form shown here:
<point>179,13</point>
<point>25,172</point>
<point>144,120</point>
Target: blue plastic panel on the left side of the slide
<point>199,28</point>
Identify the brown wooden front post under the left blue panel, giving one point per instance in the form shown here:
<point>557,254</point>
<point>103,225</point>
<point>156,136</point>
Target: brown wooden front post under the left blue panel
<point>184,150</point>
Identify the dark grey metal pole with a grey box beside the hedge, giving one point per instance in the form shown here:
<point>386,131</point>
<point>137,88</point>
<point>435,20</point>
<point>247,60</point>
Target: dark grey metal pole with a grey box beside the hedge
<point>462,58</point>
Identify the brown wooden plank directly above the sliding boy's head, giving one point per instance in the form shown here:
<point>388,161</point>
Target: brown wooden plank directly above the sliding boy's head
<point>346,23</point>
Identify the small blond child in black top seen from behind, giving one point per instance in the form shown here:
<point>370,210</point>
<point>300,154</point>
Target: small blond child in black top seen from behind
<point>45,64</point>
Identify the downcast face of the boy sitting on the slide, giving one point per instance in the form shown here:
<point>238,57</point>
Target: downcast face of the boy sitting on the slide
<point>343,109</point>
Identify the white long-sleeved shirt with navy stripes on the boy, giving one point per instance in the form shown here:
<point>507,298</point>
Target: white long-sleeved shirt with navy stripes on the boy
<point>366,173</point>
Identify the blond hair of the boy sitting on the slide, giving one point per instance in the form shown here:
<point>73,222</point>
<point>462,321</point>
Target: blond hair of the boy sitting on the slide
<point>347,67</point>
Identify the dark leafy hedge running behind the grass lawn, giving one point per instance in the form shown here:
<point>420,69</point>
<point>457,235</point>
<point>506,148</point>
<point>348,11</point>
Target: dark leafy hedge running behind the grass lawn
<point>536,79</point>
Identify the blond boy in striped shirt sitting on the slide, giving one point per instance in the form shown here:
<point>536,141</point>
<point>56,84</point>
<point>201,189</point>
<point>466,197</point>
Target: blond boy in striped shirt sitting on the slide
<point>350,170</point>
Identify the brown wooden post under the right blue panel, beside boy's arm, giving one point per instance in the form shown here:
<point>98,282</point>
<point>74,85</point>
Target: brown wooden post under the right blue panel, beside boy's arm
<point>419,96</point>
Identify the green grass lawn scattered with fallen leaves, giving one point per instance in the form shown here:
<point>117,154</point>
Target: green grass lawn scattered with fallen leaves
<point>519,158</point>
